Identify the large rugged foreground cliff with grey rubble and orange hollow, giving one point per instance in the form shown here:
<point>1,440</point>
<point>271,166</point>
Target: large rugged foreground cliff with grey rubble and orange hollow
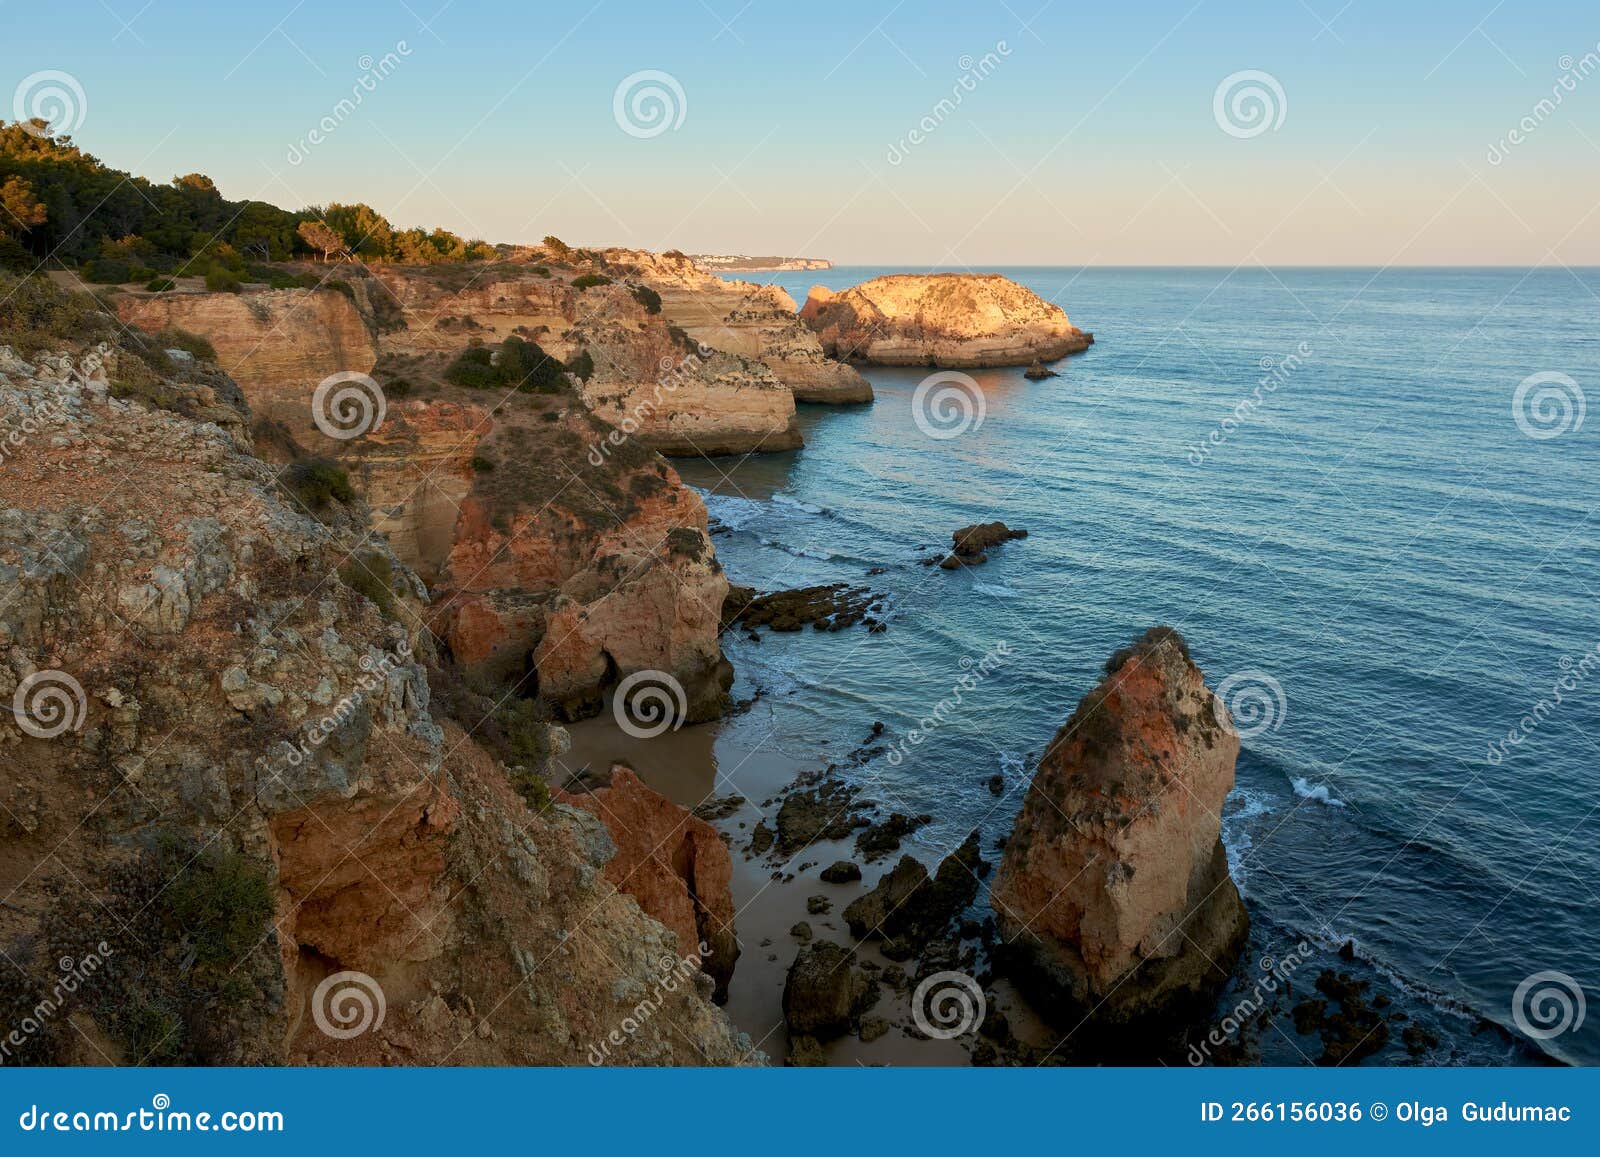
<point>238,791</point>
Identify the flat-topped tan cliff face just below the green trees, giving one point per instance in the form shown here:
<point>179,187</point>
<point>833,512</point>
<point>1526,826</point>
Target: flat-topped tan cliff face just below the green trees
<point>278,345</point>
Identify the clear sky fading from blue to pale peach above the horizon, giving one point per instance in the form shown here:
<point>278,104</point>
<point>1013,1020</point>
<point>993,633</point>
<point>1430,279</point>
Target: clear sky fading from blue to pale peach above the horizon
<point>873,132</point>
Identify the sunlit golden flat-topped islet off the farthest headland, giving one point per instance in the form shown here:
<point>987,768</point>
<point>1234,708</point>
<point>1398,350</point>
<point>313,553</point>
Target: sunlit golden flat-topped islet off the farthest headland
<point>953,321</point>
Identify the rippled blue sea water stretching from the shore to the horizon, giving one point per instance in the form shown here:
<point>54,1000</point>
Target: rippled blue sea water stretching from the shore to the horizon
<point>1380,538</point>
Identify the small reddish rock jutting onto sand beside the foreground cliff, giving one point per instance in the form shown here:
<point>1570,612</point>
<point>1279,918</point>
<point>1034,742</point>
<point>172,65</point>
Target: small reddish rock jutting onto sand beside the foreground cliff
<point>674,865</point>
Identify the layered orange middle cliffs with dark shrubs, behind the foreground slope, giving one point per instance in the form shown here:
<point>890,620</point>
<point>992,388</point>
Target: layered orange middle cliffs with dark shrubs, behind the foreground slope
<point>554,543</point>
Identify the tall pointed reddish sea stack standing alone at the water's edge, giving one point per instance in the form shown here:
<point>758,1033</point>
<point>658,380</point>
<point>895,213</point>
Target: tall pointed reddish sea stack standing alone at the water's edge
<point>1114,897</point>
